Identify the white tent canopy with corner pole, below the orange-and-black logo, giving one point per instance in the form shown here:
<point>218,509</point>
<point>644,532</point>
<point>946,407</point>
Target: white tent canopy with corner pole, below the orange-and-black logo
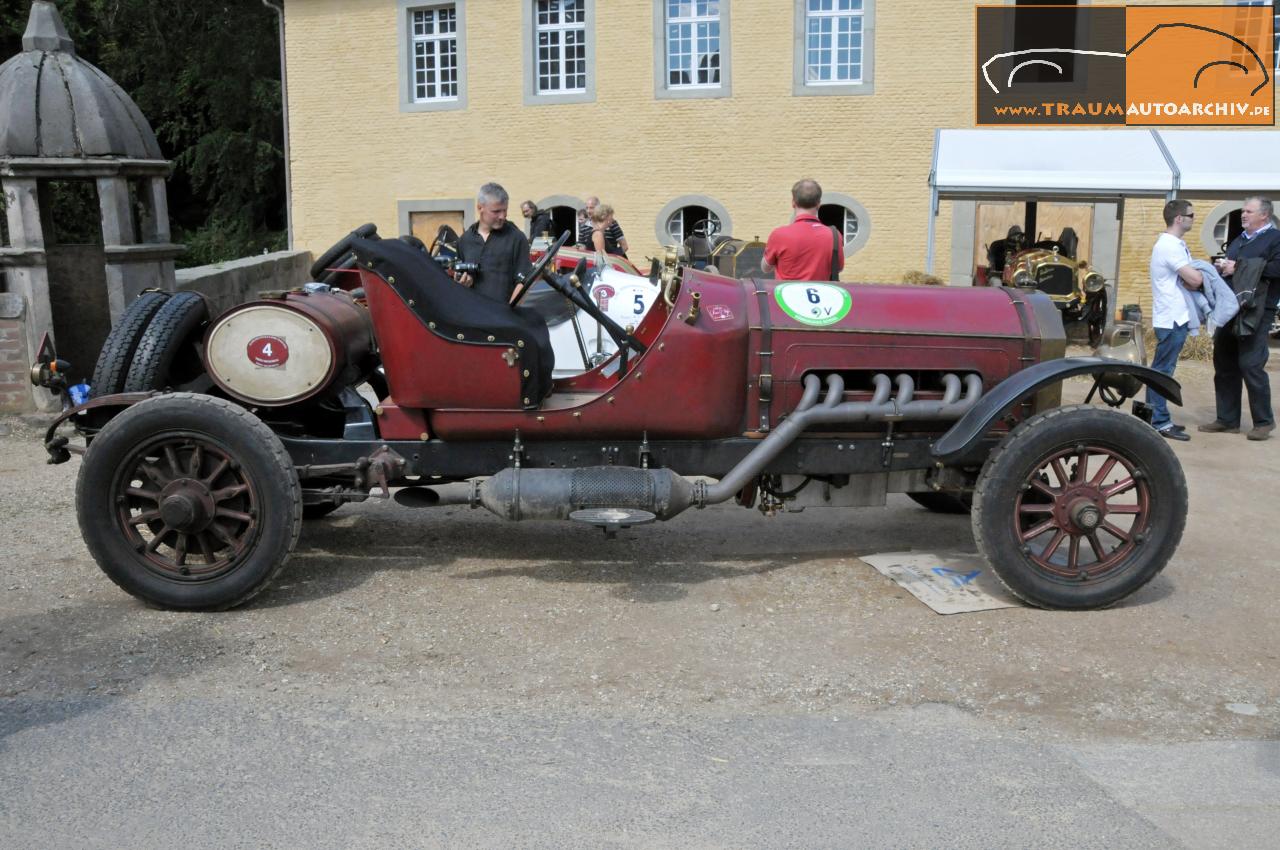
<point>1099,166</point>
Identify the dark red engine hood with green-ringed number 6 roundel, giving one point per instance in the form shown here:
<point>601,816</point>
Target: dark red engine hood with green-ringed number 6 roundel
<point>860,330</point>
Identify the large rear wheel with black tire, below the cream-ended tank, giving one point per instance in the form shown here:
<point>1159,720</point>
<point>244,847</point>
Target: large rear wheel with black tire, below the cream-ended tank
<point>186,473</point>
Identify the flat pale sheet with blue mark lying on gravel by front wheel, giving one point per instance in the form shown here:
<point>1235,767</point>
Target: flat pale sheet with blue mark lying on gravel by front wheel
<point>952,583</point>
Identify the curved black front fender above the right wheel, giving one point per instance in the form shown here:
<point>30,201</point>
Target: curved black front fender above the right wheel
<point>970,431</point>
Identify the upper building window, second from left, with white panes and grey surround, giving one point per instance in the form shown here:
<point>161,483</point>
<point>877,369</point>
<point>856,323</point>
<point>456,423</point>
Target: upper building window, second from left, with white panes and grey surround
<point>560,52</point>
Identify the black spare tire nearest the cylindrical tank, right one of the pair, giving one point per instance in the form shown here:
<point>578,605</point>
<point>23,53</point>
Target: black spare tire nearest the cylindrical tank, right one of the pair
<point>168,354</point>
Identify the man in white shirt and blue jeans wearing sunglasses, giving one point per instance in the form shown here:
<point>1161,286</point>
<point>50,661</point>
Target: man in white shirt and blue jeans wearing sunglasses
<point>1171,271</point>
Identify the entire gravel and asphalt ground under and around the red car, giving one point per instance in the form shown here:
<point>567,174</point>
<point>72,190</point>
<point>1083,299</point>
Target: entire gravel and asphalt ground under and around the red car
<point>444,679</point>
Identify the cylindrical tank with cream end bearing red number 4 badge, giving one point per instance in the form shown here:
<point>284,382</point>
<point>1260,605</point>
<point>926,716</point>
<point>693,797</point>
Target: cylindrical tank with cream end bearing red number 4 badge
<point>291,348</point>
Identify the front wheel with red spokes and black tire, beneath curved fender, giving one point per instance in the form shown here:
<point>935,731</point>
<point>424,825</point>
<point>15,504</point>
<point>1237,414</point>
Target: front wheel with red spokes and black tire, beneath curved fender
<point>1034,497</point>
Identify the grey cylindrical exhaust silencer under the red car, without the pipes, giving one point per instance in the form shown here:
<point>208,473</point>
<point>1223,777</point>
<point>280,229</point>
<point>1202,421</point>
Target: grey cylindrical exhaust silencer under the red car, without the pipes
<point>554,495</point>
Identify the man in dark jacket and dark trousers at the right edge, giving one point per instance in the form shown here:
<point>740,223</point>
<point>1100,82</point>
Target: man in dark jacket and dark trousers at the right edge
<point>1245,359</point>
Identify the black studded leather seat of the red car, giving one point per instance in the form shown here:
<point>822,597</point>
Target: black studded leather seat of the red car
<point>438,300</point>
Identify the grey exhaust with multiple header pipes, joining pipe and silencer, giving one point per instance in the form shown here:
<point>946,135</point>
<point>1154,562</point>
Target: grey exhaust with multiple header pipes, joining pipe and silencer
<point>554,495</point>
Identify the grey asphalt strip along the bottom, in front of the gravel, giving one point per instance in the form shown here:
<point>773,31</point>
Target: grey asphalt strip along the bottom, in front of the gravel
<point>221,774</point>
